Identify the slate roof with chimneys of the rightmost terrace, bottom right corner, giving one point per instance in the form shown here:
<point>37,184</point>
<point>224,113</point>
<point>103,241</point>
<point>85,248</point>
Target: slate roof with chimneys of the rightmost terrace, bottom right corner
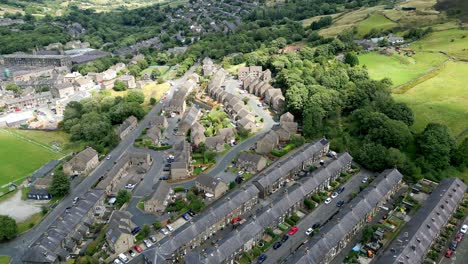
<point>417,236</point>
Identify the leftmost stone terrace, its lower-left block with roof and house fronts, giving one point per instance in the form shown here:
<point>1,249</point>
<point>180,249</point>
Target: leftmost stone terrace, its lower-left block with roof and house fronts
<point>200,228</point>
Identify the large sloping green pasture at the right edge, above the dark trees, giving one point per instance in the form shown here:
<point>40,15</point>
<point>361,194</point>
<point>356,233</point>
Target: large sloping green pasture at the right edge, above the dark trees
<point>442,99</point>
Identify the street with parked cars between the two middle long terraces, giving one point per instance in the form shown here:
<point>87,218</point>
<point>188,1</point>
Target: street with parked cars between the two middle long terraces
<point>321,215</point>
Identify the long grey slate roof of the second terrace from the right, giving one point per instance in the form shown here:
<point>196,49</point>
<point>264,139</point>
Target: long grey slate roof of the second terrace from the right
<point>349,216</point>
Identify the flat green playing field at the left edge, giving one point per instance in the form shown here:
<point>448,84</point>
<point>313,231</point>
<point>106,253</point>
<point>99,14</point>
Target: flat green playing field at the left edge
<point>19,158</point>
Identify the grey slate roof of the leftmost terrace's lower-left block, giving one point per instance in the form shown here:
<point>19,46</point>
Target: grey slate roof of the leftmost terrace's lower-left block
<point>190,230</point>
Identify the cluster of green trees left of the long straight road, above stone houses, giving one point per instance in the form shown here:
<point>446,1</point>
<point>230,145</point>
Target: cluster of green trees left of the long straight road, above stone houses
<point>92,120</point>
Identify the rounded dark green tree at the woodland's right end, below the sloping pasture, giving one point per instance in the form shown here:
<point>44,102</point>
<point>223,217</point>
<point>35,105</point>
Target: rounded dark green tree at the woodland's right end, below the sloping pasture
<point>436,145</point>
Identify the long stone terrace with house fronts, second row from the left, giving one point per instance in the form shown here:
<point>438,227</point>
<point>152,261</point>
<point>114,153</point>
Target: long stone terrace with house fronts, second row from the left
<point>283,206</point>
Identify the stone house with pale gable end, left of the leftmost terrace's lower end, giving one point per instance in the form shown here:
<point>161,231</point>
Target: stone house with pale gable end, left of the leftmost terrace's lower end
<point>119,235</point>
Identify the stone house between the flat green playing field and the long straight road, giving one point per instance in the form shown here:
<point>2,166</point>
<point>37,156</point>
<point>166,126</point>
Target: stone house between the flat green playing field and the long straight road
<point>82,163</point>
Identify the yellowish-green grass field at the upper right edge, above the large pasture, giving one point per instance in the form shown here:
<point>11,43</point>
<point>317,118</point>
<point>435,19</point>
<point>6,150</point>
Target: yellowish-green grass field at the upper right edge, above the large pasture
<point>453,41</point>
